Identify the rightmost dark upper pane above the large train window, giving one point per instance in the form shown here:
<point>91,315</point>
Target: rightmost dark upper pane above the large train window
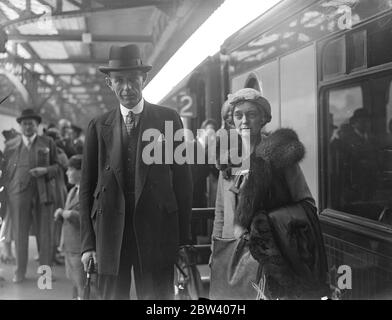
<point>380,42</point>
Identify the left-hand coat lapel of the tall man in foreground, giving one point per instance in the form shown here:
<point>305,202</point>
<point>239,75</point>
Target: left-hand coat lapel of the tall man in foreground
<point>111,132</point>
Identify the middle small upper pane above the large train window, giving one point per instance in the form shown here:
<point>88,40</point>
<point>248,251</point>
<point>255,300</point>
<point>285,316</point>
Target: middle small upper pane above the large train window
<point>357,50</point>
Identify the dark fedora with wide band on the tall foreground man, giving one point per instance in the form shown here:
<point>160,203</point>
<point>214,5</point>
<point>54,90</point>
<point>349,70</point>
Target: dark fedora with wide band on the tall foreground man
<point>124,58</point>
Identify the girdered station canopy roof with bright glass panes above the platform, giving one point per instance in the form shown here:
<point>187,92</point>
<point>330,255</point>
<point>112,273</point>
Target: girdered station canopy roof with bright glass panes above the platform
<point>62,42</point>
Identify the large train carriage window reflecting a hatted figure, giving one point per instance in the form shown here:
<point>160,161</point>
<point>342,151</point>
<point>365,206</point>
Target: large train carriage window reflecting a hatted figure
<point>360,149</point>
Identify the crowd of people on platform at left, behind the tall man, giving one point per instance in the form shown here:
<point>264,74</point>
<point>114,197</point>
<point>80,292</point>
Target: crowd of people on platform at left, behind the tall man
<point>39,171</point>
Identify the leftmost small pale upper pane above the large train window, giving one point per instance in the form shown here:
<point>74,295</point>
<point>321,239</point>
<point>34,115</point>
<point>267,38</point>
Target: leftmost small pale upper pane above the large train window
<point>334,58</point>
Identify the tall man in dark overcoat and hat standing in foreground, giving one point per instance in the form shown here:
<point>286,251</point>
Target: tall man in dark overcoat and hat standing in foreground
<point>133,215</point>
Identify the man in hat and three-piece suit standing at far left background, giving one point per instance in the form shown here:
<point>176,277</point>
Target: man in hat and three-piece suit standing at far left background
<point>30,180</point>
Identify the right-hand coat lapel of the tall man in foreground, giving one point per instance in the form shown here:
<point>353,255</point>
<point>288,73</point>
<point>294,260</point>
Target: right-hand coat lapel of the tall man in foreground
<point>147,122</point>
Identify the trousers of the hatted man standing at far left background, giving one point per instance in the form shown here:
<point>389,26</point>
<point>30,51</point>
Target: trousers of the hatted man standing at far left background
<point>26,209</point>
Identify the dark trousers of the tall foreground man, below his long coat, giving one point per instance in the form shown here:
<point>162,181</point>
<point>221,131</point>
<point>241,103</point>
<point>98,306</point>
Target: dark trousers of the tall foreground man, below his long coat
<point>156,284</point>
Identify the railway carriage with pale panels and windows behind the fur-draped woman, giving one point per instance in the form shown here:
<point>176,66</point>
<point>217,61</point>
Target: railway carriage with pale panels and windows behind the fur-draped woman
<point>326,68</point>
